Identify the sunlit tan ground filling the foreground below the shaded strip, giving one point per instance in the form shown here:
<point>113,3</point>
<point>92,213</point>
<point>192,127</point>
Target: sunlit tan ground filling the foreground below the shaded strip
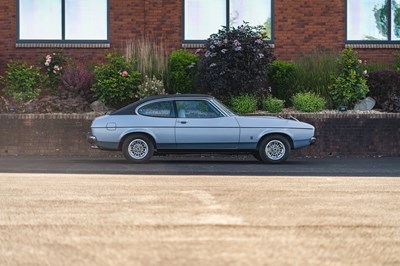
<point>198,220</point>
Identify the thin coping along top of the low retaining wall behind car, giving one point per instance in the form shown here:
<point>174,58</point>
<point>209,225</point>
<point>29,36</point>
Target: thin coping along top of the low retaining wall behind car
<point>89,116</point>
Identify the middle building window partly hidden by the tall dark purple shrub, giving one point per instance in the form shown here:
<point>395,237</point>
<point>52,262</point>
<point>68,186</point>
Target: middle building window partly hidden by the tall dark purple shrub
<point>205,17</point>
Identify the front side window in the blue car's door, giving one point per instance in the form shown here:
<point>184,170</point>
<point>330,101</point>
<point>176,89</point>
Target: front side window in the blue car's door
<point>196,109</point>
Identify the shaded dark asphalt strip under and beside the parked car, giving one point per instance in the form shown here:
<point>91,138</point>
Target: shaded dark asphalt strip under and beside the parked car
<point>205,165</point>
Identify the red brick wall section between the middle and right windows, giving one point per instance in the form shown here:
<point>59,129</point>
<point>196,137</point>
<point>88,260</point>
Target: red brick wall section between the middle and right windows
<point>301,26</point>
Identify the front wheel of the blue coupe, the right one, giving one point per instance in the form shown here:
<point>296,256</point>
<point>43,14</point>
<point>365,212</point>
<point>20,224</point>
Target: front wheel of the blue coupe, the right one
<point>274,149</point>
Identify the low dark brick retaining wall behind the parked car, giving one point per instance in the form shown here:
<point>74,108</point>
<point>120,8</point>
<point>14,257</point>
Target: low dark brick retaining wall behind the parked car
<point>64,134</point>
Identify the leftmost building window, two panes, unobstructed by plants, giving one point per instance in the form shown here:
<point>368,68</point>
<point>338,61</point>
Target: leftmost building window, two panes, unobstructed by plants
<point>63,20</point>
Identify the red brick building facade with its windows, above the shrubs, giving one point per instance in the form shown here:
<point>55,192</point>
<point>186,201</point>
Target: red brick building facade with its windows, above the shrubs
<point>88,29</point>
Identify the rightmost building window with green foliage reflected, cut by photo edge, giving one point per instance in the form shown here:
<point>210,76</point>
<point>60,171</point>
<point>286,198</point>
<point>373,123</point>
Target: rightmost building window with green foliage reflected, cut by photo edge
<point>373,21</point>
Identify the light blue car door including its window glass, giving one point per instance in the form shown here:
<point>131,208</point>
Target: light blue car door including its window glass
<point>200,125</point>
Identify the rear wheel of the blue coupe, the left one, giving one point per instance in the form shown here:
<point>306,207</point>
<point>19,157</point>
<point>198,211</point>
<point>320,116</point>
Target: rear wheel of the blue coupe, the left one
<point>138,148</point>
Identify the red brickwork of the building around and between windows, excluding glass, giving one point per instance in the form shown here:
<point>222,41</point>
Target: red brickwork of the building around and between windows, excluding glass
<point>300,27</point>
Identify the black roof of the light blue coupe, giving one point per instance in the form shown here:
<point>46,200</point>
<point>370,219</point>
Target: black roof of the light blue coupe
<point>130,109</point>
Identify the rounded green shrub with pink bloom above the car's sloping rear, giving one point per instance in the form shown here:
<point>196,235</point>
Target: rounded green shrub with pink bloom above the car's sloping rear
<point>116,82</point>
